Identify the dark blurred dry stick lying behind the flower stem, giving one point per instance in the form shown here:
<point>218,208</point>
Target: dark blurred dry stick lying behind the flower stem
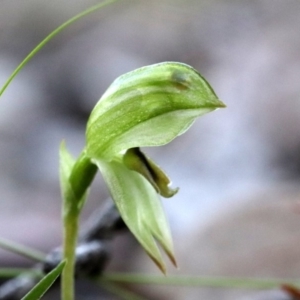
<point>92,253</point>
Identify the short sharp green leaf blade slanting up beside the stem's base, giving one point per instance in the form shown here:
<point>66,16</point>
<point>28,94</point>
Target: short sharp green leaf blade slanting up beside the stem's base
<point>41,288</point>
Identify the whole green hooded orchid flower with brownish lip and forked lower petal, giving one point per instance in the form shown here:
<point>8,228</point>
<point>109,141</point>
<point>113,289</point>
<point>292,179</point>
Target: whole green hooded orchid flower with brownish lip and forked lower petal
<point>147,107</point>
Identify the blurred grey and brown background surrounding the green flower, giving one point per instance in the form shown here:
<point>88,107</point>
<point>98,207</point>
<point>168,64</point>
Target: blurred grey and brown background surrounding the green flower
<point>234,166</point>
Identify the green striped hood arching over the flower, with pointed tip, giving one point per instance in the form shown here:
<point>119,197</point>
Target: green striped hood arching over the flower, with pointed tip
<point>148,107</point>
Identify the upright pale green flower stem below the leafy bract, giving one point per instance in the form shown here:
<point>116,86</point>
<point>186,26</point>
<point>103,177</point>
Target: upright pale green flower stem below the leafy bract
<point>71,220</point>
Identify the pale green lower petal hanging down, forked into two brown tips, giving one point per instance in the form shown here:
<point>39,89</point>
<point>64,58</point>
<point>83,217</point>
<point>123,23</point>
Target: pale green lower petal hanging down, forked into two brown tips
<point>140,208</point>
